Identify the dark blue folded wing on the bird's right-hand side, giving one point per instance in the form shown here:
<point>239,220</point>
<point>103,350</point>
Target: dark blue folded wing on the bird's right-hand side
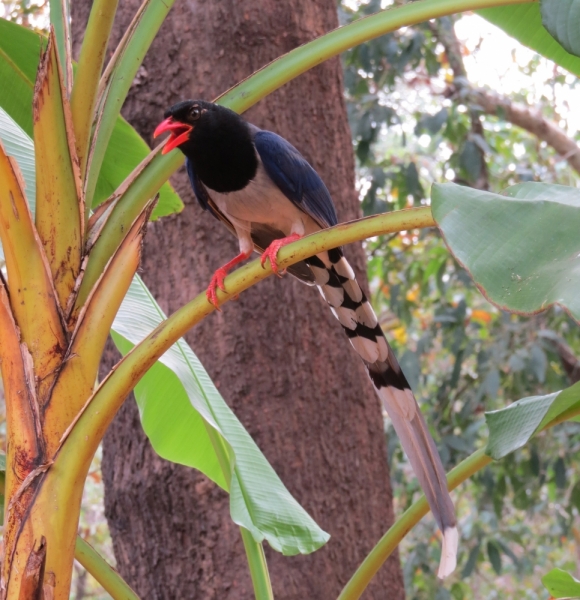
<point>298,181</point>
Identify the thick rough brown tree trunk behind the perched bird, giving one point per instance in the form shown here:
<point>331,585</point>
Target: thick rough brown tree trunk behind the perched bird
<point>277,355</point>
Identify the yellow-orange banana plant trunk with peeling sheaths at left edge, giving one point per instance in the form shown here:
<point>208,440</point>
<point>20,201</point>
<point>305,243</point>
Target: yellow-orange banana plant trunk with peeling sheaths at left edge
<point>49,354</point>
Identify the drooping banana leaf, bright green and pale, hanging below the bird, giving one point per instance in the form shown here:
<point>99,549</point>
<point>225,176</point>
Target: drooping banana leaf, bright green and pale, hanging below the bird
<point>175,398</point>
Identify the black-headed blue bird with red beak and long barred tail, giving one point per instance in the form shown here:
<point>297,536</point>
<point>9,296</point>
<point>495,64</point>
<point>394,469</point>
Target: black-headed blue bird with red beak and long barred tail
<point>265,192</point>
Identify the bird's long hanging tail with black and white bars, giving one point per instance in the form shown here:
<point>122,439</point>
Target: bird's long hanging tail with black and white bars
<point>336,282</point>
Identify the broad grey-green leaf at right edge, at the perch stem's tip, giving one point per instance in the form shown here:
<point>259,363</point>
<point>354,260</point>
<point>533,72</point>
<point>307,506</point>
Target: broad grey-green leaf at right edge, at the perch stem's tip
<point>521,248</point>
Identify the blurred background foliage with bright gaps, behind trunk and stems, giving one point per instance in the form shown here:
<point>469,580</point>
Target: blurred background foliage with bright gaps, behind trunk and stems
<point>414,121</point>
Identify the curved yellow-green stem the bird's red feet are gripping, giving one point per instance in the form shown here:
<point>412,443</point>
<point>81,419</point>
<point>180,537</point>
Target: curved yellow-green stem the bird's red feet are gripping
<point>73,460</point>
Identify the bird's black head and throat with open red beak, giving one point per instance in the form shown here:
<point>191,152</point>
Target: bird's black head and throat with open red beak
<point>216,140</point>
